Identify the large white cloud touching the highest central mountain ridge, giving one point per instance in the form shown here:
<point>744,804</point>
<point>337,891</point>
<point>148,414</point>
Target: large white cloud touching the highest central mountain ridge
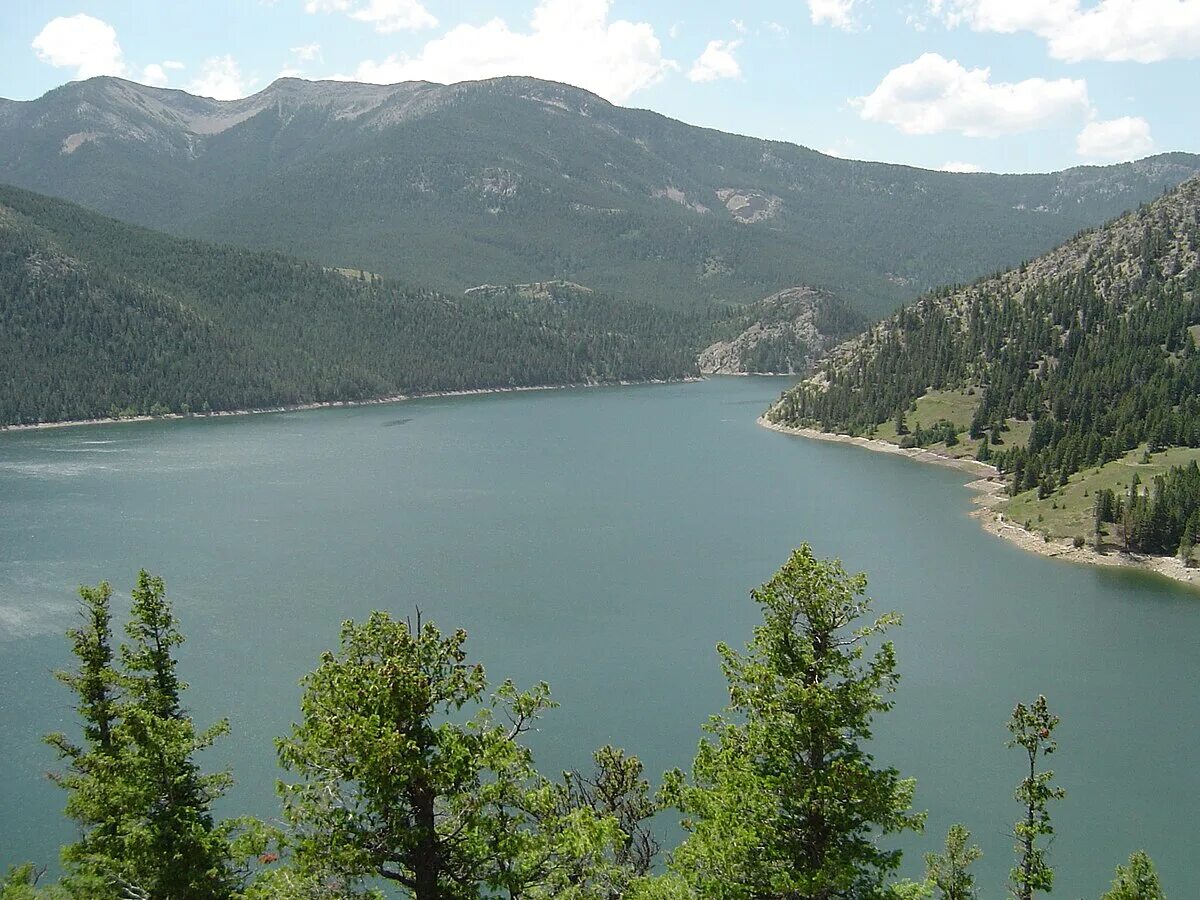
<point>568,41</point>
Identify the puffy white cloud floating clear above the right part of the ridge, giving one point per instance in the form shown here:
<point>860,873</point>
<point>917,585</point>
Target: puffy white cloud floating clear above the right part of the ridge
<point>934,95</point>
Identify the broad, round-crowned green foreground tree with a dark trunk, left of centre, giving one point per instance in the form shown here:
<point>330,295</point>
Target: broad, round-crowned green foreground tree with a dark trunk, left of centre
<point>392,787</point>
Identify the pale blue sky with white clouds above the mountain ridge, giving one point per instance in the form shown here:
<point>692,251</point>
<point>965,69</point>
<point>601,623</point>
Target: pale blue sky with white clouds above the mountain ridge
<point>998,86</point>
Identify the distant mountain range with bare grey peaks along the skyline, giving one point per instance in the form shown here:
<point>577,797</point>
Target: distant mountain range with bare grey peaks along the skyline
<point>517,181</point>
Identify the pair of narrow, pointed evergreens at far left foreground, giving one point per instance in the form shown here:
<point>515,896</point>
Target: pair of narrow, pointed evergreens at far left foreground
<point>142,803</point>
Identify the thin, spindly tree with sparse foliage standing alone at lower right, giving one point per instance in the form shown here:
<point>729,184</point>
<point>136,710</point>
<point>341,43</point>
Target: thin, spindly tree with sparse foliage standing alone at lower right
<point>1033,728</point>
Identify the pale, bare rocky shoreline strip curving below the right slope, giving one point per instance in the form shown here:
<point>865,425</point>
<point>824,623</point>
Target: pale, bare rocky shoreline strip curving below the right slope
<point>989,491</point>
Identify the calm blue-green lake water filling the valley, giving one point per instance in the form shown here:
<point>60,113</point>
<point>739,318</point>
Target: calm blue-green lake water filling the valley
<point>603,541</point>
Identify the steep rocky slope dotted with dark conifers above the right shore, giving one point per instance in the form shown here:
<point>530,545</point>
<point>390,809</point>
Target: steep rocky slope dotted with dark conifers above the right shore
<point>1094,345</point>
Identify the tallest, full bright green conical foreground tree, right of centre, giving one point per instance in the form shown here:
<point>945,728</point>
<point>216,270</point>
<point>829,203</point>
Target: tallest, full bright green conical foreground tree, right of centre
<point>784,800</point>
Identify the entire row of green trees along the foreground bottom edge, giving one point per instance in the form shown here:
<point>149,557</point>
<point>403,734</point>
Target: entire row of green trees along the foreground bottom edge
<point>407,773</point>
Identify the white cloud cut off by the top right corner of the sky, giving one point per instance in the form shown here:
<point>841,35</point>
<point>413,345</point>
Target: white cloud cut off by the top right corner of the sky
<point>1112,31</point>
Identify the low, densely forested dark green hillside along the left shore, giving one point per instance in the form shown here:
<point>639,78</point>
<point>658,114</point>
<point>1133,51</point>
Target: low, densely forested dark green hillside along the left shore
<point>104,319</point>
